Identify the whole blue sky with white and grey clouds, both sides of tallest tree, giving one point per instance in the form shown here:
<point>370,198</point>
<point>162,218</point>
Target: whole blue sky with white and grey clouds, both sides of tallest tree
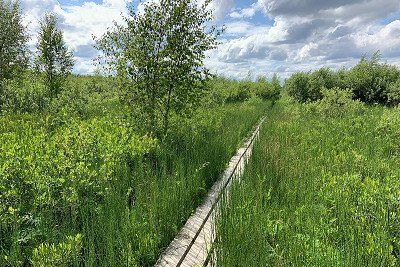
<point>262,36</point>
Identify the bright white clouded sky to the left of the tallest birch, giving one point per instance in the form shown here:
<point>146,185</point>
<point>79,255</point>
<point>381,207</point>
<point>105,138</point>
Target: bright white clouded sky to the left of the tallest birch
<point>79,23</point>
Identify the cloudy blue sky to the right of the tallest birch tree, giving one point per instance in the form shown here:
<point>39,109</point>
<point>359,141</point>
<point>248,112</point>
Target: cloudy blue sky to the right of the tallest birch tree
<point>308,34</point>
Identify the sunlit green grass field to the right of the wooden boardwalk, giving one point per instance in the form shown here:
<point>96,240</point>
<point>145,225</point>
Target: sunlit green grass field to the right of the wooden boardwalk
<point>322,189</point>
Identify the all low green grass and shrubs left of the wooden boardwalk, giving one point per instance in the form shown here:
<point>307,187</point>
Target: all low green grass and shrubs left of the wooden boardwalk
<point>92,192</point>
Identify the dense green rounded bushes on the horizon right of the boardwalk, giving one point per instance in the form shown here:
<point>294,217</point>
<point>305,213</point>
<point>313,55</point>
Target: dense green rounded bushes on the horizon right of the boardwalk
<point>370,82</point>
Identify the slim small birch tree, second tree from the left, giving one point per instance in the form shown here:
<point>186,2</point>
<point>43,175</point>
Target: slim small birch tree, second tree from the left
<point>53,60</point>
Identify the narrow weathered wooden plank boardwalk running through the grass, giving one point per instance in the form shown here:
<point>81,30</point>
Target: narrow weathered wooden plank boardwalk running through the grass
<point>193,243</point>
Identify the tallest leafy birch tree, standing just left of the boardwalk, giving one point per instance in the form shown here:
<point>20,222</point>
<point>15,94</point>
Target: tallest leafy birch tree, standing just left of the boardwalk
<point>158,58</point>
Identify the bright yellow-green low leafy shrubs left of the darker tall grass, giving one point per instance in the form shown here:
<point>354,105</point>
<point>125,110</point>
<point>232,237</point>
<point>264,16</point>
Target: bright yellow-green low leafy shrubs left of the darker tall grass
<point>48,179</point>
